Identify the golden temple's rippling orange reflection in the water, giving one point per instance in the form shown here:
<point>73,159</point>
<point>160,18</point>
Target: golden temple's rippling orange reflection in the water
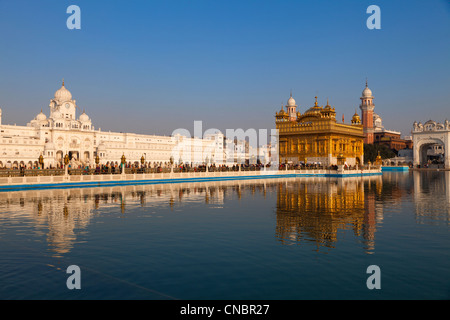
<point>317,210</point>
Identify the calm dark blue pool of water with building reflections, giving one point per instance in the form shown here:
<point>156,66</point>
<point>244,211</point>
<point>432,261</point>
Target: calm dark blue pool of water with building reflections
<point>303,238</point>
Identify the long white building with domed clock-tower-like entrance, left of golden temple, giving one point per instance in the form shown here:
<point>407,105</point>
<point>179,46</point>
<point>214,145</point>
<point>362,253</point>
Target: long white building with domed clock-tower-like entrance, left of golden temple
<point>64,132</point>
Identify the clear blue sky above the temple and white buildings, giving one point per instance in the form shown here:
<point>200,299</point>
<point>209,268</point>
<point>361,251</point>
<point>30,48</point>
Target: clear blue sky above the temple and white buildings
<point>155,66</point>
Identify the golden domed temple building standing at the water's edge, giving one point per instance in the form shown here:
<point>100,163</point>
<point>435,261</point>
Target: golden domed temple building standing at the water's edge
<point>316,136</point>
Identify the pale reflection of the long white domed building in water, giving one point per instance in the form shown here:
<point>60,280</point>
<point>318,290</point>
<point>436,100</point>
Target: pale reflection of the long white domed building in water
<point>62,215</point>
